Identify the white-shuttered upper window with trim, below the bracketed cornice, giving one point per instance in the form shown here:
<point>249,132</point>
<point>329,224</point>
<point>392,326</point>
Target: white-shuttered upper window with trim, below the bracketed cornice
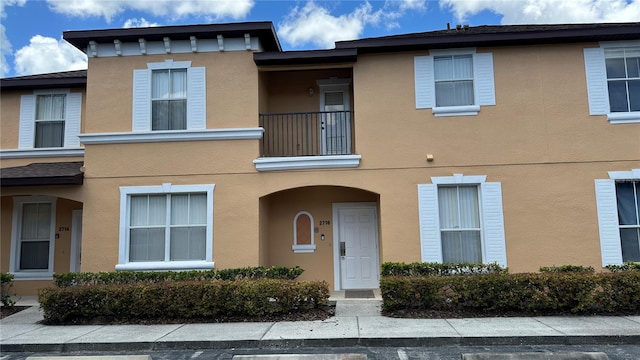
<point>169,96</point>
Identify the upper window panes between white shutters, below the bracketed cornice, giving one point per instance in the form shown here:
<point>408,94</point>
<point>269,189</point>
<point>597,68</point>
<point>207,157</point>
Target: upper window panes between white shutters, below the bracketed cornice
<point>169,99</point>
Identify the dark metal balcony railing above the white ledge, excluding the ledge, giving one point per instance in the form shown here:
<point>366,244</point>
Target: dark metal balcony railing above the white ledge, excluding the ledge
<point>307,134</point>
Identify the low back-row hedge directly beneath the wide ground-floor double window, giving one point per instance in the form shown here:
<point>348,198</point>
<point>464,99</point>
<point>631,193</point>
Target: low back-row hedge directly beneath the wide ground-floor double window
<point>133,277</point>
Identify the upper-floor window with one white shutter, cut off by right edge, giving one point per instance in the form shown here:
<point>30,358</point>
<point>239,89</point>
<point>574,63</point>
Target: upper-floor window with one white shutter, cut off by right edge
<point>613,81</point>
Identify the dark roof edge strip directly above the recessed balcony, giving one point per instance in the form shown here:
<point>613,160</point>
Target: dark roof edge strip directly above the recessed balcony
<point>305,57</point>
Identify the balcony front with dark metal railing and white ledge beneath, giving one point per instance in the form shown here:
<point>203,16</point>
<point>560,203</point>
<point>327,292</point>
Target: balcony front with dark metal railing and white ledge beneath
<point>307,140</point>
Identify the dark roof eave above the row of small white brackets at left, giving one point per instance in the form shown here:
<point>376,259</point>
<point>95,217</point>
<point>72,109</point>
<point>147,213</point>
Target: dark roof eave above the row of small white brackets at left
<point>264,30</point>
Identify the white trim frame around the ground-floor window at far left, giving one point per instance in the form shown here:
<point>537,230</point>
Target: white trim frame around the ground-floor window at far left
<point>18,202</point>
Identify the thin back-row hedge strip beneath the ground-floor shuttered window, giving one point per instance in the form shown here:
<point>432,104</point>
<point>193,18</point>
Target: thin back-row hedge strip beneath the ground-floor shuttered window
<point>439,269</point>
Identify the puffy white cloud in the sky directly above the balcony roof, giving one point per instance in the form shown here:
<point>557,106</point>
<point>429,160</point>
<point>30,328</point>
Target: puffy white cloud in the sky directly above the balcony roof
<point>314,24</point>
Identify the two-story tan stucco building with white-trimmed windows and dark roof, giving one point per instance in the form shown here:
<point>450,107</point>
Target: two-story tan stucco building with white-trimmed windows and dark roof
<point>194,147</point>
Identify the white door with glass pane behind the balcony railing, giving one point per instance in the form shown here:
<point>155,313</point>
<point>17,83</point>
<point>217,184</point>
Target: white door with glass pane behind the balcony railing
<point>336,117</point>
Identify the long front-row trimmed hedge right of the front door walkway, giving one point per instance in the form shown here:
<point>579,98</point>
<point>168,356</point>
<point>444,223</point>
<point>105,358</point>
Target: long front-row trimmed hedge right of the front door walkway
<point>491,294</point>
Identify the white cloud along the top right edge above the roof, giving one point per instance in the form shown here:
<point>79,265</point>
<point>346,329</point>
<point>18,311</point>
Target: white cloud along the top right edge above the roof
<point>548,11</point>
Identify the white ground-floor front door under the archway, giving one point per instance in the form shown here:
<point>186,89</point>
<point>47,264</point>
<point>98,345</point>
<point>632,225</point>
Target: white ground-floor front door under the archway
<point>356,246</point>
